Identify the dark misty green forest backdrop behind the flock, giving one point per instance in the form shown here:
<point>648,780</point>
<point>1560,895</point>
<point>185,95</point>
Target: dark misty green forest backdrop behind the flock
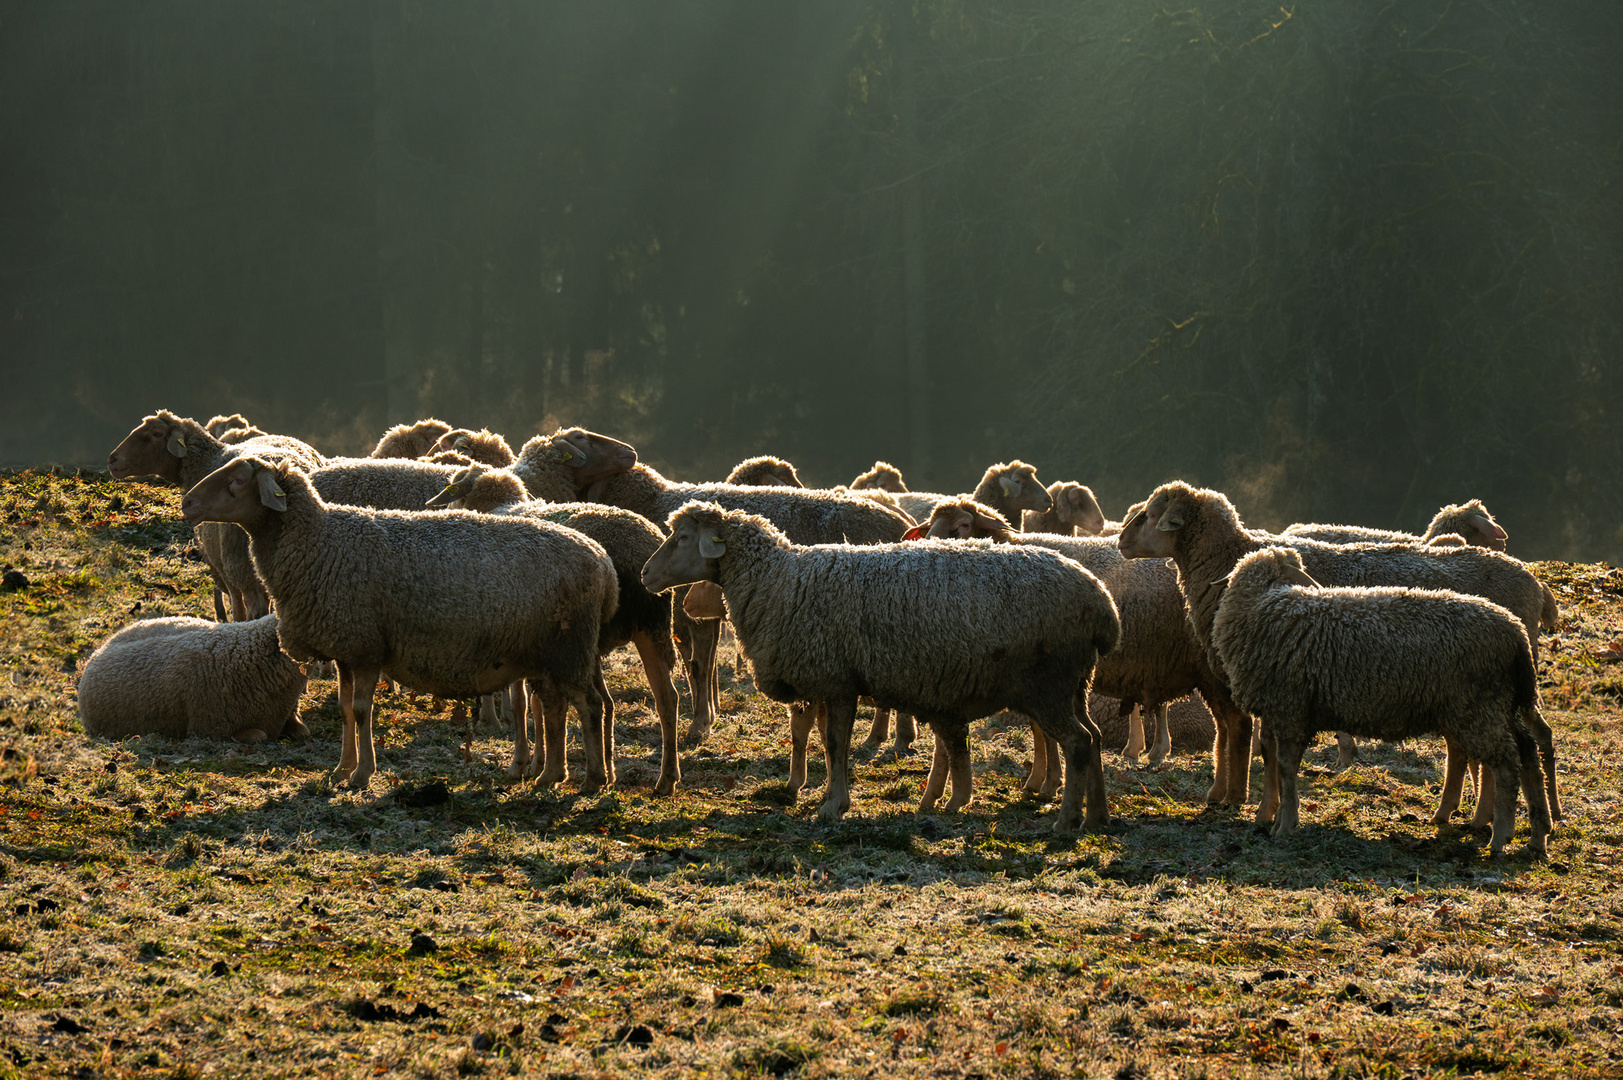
<point>1345,262</point>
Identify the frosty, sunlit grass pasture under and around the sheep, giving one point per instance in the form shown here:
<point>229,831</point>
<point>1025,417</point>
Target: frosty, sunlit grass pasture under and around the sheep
<point>181,909</point>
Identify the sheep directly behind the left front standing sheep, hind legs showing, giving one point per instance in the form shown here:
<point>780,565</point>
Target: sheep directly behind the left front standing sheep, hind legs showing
<point>642,620</point>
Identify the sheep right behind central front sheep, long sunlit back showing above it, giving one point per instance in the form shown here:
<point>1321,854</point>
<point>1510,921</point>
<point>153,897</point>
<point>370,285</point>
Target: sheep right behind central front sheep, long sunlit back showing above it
<point>806,516</point>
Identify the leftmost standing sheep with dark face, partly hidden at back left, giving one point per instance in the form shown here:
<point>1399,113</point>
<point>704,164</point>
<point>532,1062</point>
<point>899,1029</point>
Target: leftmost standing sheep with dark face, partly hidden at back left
<point>183,452</point>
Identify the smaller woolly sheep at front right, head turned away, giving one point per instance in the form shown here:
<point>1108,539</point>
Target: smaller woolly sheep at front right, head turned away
<point>1380,662</point>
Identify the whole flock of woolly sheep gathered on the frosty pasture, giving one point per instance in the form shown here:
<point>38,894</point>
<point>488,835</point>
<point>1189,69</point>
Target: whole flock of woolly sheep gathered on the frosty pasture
<point>454,566</point>
